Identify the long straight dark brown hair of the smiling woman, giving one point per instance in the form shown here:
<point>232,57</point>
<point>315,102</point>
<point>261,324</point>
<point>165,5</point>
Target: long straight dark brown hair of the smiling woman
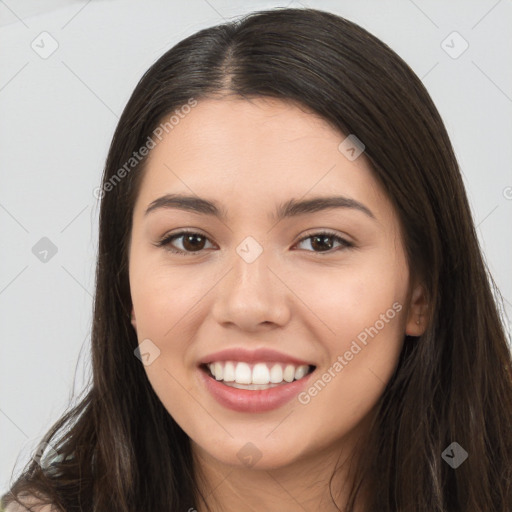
<point>120,450</point>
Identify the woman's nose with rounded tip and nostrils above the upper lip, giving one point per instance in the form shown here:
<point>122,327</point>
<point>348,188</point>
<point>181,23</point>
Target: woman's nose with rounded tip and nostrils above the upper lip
<point>252,296</point>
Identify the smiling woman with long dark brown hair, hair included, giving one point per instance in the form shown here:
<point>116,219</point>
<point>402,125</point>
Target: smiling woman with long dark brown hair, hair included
<point>292,311</point>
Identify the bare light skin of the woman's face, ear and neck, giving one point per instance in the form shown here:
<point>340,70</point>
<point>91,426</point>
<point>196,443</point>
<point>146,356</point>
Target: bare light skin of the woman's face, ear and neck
<point>250,156</point>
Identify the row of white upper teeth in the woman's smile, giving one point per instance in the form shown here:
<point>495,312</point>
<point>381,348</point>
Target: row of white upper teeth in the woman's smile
<point>259,373</point>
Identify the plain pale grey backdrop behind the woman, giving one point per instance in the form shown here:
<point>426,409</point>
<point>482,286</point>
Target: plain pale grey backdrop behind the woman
<point>57,116</point>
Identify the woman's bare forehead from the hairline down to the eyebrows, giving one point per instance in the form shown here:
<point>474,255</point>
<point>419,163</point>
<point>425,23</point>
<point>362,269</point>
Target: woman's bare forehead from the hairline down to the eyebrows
<point>254,152</point>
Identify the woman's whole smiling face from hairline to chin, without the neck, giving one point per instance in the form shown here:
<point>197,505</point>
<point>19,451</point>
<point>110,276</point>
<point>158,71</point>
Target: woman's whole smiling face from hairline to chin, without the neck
<point>273,281</point>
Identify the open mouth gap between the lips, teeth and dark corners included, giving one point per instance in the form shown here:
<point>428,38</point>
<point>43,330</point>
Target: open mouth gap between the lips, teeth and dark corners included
<point>255,376</point>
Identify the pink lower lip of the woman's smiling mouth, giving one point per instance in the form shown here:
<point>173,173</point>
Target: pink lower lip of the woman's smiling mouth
<point>242,400</point>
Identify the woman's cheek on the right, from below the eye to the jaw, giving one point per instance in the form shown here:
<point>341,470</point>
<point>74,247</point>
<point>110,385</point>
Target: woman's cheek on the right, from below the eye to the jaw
<point>364,313</point>
